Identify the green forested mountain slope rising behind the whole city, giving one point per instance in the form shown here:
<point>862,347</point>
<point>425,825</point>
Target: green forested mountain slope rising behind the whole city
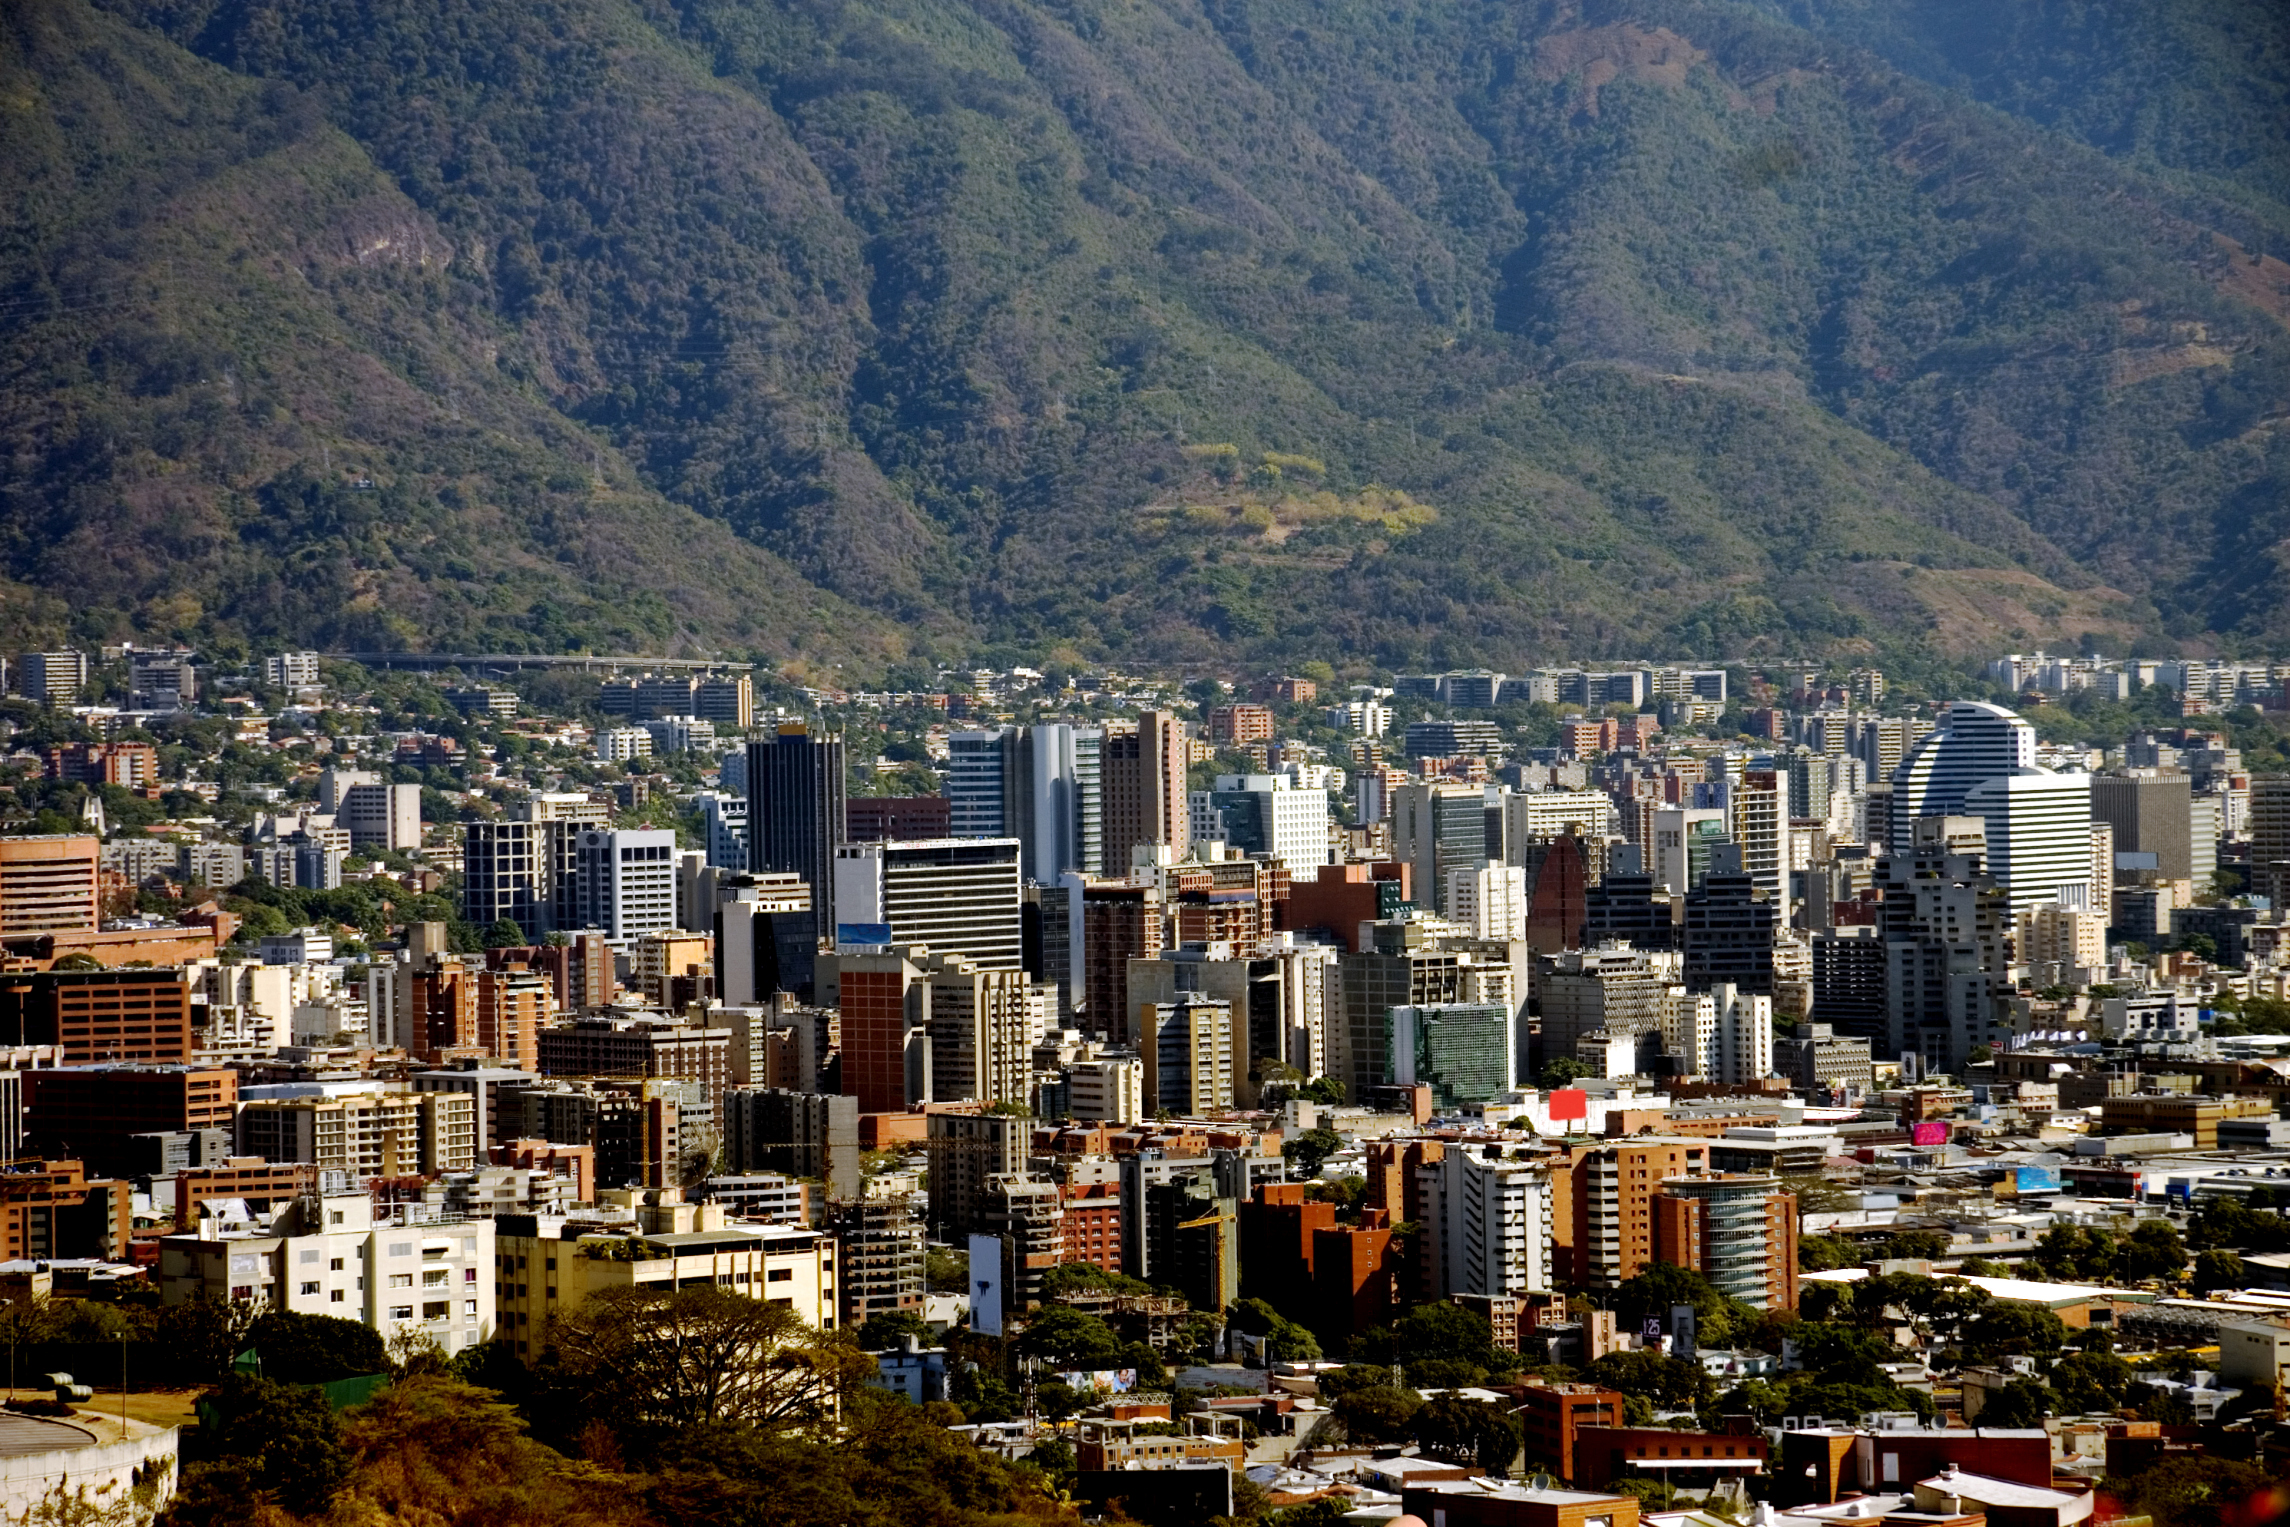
<point>1185,331</point>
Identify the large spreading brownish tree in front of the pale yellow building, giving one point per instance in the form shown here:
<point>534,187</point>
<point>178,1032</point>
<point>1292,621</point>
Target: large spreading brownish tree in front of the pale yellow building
<point>654,1361</point>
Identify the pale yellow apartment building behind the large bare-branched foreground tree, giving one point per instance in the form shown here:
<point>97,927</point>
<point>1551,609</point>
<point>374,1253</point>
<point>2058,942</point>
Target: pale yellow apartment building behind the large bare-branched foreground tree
<point>551,1265</point>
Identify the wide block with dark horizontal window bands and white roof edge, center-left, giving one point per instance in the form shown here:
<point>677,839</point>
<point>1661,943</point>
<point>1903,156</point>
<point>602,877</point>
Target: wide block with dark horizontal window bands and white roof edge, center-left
<point>961,896</point>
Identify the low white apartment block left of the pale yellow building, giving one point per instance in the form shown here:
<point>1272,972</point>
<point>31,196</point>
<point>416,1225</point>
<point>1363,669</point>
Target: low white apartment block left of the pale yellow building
<point>338,1256</point>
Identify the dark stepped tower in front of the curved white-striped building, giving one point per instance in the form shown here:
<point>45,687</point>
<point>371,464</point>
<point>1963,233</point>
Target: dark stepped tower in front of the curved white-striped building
<point>1945,926</point>
